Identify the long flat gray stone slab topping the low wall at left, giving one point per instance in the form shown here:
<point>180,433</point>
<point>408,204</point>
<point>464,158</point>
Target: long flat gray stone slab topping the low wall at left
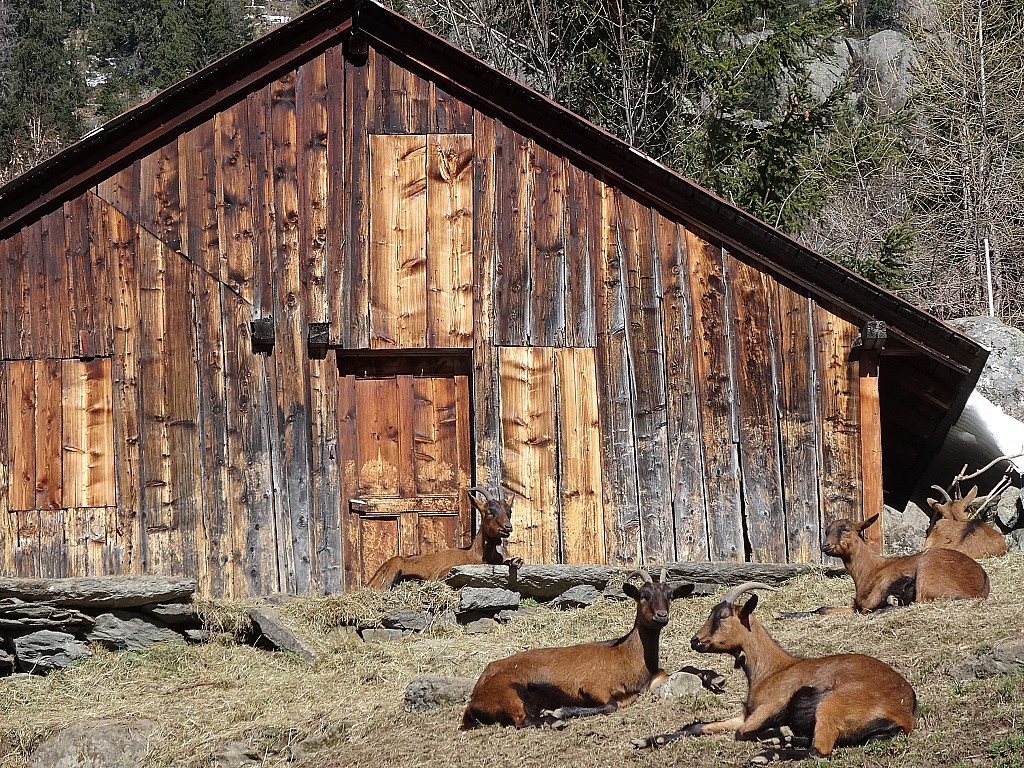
<point>100,592</point>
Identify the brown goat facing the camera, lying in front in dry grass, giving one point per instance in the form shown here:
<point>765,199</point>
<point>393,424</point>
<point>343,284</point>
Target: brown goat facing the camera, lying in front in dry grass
<point>551,686</point>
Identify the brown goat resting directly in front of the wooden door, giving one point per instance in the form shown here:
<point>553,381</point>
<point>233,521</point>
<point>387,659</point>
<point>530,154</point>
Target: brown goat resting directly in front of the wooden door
<point>496,527</point>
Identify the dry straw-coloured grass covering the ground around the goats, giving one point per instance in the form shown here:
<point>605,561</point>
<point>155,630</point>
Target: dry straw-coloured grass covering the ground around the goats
<point>203,697</point>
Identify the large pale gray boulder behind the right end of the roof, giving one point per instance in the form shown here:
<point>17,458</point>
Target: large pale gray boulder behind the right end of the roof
<point>1001,380</point>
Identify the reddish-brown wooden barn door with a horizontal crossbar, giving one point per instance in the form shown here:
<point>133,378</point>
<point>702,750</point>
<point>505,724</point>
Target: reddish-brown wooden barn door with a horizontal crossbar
<point>406,463</point>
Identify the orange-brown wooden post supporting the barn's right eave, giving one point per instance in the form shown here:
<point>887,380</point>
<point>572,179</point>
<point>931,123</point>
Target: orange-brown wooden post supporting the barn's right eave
<point>869,347</point>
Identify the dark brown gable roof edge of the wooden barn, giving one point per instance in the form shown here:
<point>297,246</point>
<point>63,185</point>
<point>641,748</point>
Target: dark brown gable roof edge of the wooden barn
<point>186,105</point>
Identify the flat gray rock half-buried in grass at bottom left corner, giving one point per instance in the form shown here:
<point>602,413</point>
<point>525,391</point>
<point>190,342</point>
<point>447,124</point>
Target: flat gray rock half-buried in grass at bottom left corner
<point>97,744</point>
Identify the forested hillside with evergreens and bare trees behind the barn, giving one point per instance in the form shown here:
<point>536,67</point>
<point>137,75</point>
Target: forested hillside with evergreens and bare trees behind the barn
<point>884,134</point>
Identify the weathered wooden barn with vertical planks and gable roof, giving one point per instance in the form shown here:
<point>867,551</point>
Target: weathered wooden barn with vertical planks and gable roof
<point>267,328</point>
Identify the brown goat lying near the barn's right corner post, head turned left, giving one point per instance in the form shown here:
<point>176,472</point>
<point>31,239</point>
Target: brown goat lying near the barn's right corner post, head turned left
<point>882,583</point>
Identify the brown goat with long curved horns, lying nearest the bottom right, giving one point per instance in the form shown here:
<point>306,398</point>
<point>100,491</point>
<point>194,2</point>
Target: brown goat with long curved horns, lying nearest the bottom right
<point>838,701</point>
